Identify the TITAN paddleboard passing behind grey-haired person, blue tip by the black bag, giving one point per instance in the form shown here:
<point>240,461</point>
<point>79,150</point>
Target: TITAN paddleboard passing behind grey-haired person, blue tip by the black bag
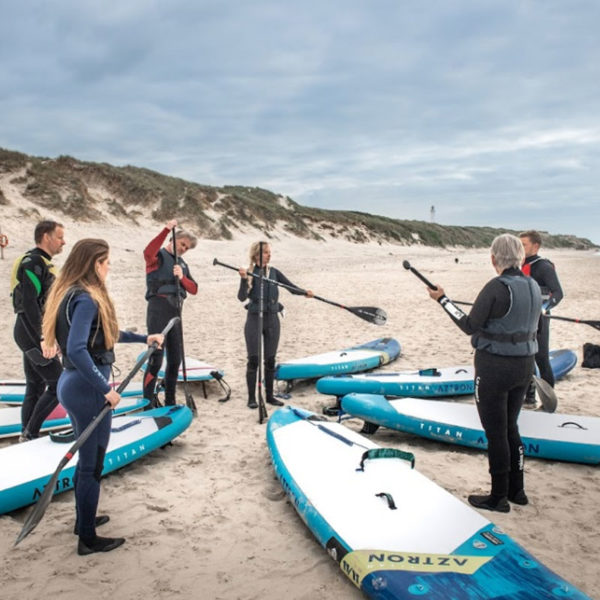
<point>426,383</point>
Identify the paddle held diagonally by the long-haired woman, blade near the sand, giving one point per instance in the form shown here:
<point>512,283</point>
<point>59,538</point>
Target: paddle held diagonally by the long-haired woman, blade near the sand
<point>37,514</point>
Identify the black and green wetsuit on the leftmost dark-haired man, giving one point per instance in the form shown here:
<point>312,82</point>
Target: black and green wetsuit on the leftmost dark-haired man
<point>33,275</point>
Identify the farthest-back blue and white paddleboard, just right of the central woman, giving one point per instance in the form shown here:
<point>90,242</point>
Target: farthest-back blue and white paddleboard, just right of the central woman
<point>351,360</point>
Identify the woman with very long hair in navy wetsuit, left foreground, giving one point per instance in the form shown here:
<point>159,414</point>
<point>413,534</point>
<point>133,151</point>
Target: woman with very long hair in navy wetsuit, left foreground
<point>80,318</point>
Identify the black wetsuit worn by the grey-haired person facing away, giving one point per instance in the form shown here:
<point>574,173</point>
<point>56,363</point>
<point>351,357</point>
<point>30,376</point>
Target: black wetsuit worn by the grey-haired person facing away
<point>501,380</point>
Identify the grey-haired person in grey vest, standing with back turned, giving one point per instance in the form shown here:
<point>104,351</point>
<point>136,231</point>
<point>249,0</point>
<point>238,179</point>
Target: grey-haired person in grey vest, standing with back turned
<point>503,324</point>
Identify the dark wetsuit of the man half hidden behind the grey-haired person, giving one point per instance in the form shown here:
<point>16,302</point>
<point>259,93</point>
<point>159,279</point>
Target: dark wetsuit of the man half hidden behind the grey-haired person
<point>543,271</point>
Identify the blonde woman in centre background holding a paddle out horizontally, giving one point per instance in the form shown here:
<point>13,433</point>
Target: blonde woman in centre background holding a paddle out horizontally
<point>250,289</point>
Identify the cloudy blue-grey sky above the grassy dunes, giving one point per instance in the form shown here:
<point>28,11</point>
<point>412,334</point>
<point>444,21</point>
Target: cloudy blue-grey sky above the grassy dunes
<point>488,110</point>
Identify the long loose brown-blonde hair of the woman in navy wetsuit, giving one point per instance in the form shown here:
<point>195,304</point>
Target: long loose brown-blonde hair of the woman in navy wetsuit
<point>79,271</point>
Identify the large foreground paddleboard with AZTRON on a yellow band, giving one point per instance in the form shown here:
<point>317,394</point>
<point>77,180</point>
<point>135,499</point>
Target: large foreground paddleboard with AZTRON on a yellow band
<point>395,533</point>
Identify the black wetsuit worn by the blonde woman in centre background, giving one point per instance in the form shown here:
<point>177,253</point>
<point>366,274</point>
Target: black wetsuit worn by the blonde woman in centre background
<point>271,326</point>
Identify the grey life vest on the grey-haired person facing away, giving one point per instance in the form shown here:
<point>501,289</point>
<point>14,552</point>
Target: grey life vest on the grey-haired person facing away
<point>514,334</point>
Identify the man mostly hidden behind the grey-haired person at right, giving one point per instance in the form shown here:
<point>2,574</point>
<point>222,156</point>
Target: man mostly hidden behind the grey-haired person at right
<point>542,271</point>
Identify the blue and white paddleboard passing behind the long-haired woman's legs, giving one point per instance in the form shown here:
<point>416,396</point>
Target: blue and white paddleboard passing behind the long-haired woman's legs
<point>28,466</point>
